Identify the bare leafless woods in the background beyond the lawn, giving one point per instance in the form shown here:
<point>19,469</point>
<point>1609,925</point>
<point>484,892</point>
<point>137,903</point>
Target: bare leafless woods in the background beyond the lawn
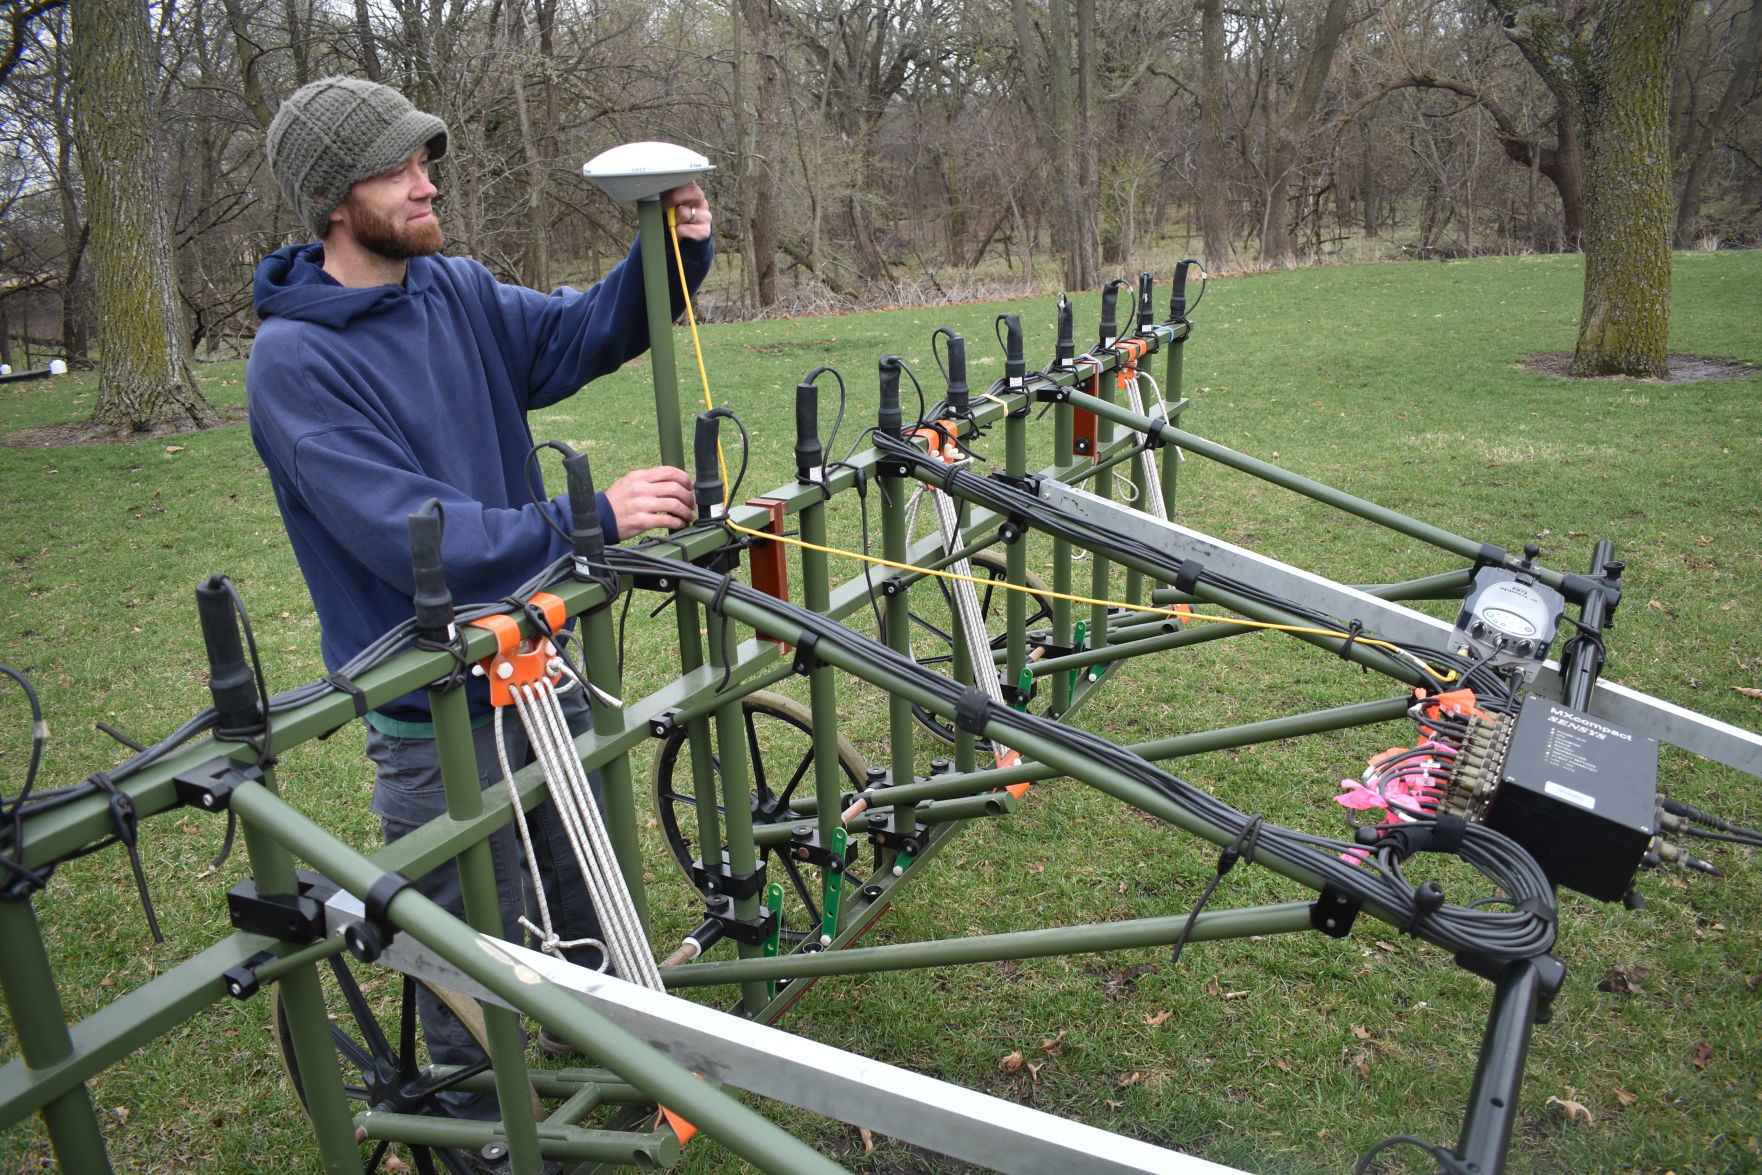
<point>868,152</point>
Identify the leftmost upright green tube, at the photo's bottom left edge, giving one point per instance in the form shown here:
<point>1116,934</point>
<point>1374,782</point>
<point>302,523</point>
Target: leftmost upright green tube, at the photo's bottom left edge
<point>27,980</point>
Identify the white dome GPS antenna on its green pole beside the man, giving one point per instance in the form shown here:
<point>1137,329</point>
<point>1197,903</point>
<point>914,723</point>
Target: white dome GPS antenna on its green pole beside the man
<point>640,174</point>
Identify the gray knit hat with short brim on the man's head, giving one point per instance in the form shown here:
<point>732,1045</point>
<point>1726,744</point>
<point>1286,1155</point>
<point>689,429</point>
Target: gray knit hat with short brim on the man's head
<point>334,133</point>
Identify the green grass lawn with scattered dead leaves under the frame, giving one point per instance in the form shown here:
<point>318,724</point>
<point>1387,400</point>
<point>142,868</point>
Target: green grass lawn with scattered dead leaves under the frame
<point>1393,381</point>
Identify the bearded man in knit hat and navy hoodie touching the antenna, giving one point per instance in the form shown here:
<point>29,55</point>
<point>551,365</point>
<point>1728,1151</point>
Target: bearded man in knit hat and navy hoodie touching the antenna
<point>387,374</point>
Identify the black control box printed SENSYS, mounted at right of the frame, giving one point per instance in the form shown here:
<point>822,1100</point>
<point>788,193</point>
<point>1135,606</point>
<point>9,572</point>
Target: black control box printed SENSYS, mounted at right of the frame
<point>1581,795</point>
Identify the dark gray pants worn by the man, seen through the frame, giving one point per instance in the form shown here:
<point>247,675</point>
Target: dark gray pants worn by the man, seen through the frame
<point>408,795</point>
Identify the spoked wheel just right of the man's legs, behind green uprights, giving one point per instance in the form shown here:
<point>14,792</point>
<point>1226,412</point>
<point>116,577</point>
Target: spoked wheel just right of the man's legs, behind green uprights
<point>781,758</point>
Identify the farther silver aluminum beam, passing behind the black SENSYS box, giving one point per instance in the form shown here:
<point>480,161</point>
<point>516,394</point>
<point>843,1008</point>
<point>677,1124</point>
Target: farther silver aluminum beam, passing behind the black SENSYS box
<point>1629,707</point>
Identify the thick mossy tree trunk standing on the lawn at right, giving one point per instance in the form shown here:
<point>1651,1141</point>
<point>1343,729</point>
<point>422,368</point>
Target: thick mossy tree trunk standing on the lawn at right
<point>1627,179</point>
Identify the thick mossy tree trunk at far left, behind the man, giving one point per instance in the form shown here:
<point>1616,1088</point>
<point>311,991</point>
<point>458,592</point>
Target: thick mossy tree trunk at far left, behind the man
<point>144,367</point>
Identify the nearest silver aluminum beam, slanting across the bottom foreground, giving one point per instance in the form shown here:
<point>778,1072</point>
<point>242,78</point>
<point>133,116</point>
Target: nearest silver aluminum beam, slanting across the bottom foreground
<point>956,1121</point>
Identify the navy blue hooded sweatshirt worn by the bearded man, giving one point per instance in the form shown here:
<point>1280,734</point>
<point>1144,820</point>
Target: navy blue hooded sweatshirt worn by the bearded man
<point>369,403</point>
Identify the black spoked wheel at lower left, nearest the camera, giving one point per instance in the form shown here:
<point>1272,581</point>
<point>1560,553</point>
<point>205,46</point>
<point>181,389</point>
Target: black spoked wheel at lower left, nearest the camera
<point>390,1077</point>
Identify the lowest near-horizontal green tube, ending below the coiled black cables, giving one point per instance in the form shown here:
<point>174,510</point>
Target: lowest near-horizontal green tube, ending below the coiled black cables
<point>991,949</point>
